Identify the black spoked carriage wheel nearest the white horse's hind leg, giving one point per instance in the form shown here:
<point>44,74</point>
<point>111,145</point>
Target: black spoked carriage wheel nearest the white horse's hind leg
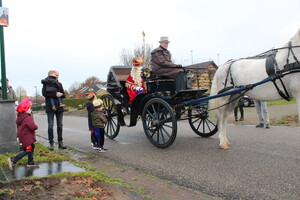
<point>200,123</point>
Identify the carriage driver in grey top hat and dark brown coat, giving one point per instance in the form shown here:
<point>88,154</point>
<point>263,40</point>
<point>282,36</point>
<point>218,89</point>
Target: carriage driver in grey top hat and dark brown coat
<point>162,65</point>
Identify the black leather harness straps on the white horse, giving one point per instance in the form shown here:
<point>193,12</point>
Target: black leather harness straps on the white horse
<point>271,69</point>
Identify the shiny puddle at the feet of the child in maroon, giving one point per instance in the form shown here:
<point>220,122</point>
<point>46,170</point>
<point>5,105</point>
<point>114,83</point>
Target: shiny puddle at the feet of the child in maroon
<point>45,169</point>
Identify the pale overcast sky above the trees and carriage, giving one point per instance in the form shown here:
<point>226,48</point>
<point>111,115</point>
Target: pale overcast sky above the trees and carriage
<point>84,38</point>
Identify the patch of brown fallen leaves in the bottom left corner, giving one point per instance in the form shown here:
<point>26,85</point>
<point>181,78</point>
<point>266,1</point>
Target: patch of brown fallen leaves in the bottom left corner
<point>55,188</point>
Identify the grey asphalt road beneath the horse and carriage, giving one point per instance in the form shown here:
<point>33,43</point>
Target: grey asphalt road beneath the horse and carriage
<point>261,164</point>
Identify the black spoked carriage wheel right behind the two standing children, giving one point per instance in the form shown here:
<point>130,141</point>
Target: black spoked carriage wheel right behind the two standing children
<point>112,127</point>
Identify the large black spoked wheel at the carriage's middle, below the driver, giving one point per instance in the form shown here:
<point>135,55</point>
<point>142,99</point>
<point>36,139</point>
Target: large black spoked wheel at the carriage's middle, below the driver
<point>159,123</point>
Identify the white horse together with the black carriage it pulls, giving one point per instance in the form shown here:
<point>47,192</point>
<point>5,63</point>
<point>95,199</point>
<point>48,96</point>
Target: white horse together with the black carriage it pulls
<point>162,106</point>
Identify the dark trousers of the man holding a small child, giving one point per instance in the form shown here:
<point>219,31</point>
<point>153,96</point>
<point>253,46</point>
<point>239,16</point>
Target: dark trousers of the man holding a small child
<point>59,118</point>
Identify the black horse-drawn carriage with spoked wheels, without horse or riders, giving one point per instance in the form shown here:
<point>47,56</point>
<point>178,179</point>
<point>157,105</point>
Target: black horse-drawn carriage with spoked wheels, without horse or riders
<point>159,108</point>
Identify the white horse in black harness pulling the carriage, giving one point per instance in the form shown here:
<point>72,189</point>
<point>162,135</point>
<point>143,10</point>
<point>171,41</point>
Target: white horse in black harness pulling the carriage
<point>247,71</point>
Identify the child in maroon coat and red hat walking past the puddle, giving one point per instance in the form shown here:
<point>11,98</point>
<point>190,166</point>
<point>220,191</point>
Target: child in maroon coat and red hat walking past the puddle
<point>26,128</point>
